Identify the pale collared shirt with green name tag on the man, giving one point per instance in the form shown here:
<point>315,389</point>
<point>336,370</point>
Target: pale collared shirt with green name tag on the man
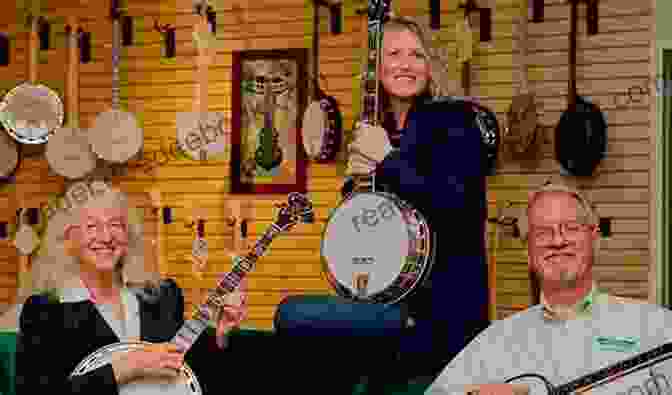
<point>617,328</point>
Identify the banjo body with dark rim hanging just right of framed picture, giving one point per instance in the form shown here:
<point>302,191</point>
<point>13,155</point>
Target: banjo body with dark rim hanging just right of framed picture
<point>322,128</point>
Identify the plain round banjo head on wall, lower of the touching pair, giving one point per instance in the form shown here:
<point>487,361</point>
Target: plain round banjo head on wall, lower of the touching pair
<point>69,153</point>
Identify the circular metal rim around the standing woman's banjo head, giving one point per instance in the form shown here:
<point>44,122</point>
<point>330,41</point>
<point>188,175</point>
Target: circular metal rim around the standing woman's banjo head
<point>426,260</point>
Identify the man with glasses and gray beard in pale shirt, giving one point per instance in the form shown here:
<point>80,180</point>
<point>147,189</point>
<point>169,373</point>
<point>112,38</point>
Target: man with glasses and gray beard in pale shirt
<point>575,330</point>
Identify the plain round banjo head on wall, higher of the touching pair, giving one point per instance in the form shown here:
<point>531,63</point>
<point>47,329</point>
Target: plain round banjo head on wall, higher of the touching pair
<point>116,136</point>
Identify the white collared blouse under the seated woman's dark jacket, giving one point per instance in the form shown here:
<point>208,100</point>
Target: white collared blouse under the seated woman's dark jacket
<point>127,330</point>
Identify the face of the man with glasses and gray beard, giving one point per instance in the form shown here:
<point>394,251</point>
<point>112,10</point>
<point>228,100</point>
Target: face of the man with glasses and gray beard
<point>560,243</point>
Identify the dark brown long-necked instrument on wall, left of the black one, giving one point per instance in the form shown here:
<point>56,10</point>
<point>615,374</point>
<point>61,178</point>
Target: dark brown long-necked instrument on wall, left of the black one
<point>522,128</point>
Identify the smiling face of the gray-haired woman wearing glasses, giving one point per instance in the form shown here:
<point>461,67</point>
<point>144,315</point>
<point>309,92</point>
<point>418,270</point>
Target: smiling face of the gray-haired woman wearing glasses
<point>100,238</point>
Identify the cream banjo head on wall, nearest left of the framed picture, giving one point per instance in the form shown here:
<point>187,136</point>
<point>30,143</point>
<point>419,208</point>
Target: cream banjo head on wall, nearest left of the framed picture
<point>198,132</point>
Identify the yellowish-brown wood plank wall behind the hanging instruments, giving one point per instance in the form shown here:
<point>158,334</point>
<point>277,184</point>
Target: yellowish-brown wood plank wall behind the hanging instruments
<point>608,64</point>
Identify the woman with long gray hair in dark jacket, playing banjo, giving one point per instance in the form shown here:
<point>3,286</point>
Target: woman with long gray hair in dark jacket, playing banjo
<point>92,302</point>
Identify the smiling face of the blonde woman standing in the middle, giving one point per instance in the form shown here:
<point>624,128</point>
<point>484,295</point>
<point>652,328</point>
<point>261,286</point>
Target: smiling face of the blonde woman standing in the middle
<point>404,66</point>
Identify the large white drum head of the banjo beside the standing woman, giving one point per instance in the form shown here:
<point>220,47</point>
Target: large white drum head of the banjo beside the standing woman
<point>368,233</point>
